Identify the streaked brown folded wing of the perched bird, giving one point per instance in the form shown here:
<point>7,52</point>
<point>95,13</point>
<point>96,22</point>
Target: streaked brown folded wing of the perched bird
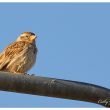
<point>11,51</point>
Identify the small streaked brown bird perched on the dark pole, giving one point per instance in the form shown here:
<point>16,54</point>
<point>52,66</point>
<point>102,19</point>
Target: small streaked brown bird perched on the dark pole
<point>19,56</point>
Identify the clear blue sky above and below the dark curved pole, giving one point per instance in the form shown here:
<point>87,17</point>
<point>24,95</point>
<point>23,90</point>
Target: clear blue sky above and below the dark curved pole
<point>73,42</point>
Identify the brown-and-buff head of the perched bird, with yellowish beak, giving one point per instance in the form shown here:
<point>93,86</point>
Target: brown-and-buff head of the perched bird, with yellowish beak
<point>27,36</point>
